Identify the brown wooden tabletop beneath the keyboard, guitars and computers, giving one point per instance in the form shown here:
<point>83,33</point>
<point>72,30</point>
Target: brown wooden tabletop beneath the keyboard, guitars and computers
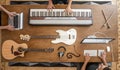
<point>77,48</point>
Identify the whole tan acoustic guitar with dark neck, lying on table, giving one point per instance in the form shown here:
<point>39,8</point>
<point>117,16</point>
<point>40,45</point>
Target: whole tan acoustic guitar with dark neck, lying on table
<point>11,49</point>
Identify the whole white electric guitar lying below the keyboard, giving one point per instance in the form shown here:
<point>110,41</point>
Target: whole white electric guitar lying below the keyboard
<point>67,37</point>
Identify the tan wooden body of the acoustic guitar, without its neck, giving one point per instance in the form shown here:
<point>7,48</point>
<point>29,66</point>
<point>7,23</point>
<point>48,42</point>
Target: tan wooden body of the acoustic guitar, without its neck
<point>11,49</point>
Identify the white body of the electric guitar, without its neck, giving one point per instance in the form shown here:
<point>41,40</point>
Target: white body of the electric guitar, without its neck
<point>67,37</point>
